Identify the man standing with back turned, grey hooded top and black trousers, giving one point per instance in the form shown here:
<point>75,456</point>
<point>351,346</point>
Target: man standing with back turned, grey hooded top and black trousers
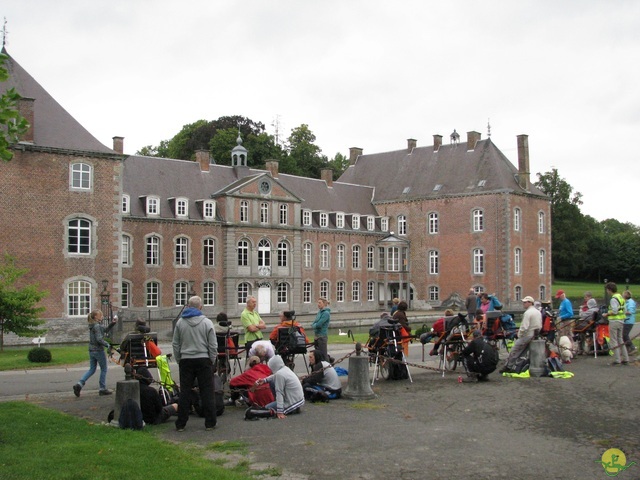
<point>195,348</point>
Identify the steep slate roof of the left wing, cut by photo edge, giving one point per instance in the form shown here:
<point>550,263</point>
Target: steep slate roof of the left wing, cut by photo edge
<point>54,126</point>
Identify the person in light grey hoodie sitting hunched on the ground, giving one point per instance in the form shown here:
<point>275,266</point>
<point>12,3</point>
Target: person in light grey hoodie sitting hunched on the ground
<point>287,387</point>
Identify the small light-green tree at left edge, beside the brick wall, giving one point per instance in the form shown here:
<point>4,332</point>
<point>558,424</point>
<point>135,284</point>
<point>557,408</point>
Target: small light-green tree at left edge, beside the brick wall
<point>18,310</point>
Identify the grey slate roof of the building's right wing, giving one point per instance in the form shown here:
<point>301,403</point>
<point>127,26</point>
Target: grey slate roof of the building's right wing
<point>404,175</point>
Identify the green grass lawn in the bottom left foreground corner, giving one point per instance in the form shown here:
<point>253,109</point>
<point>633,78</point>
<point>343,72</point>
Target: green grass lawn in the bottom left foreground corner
<point>40,443</point>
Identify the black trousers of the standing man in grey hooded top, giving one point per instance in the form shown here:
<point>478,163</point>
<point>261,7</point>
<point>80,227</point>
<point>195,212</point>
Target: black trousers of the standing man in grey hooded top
<point>202,369</point>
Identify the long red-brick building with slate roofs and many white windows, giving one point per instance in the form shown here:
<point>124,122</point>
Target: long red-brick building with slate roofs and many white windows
<point>422,223</point>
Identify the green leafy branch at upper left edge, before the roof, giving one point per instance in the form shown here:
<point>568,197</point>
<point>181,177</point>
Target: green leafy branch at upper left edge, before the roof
<point>12,124</point>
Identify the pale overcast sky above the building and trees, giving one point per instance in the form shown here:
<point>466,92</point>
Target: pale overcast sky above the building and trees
<point>366,74</point>
